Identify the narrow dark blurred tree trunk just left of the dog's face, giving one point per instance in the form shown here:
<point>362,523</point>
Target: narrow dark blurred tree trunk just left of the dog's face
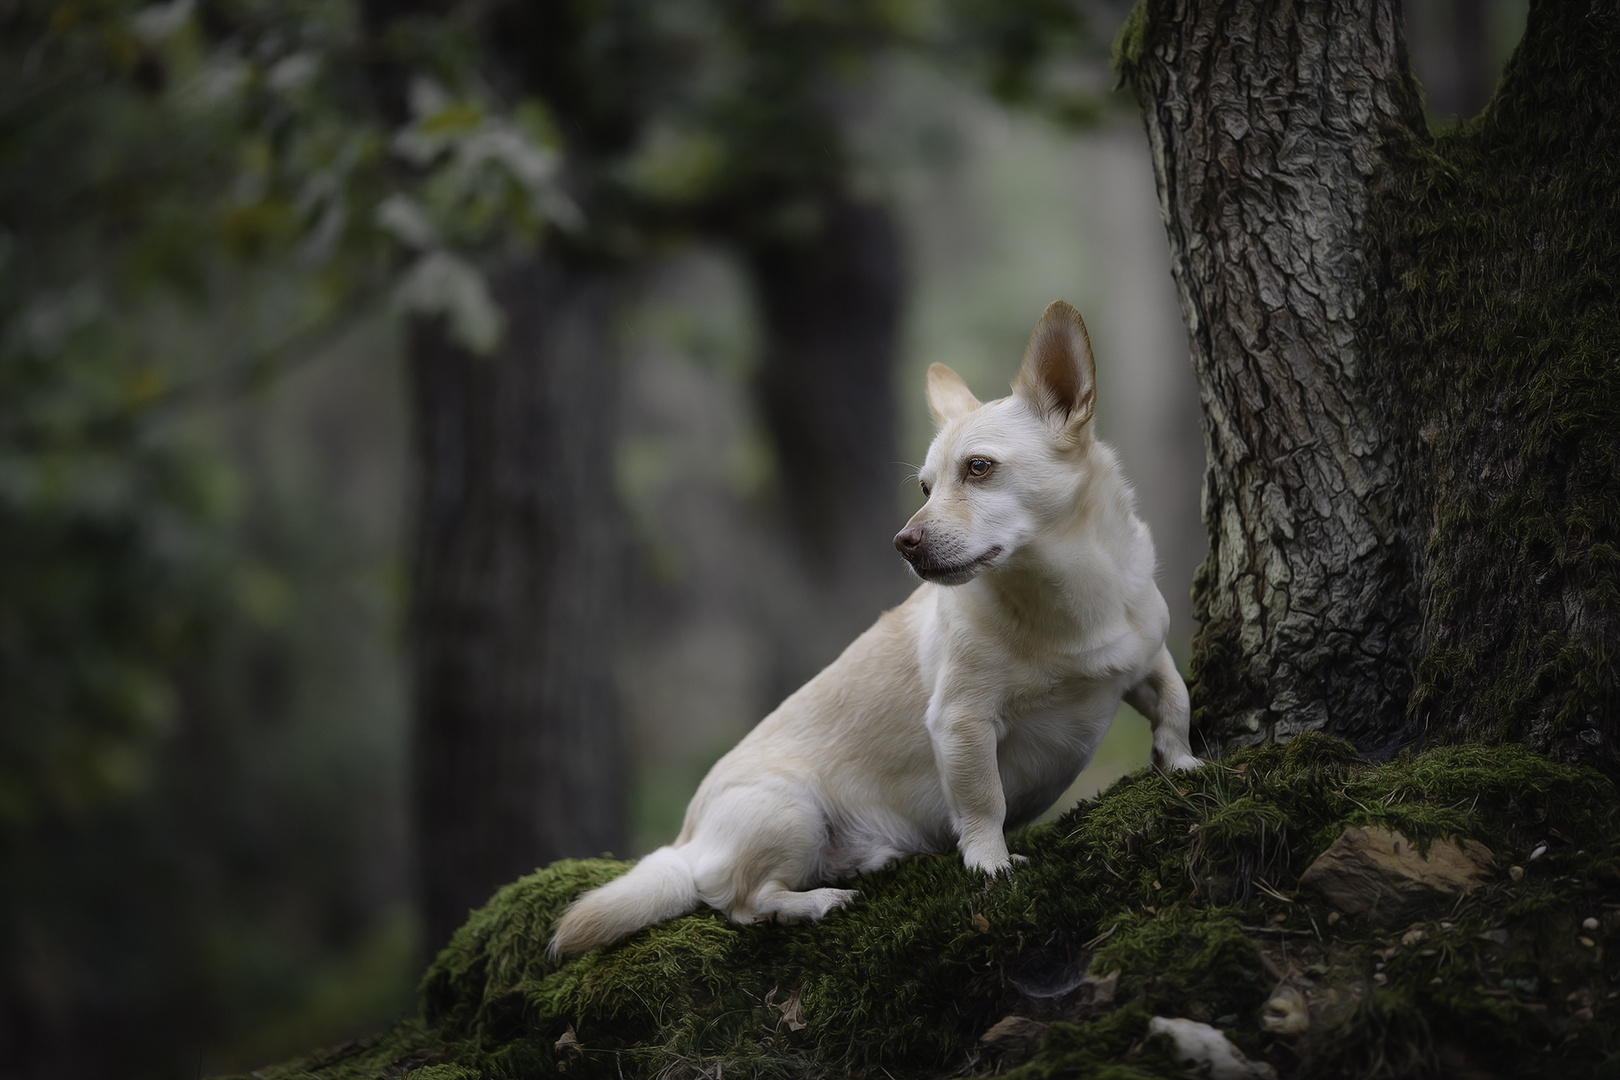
<point>832,305</point>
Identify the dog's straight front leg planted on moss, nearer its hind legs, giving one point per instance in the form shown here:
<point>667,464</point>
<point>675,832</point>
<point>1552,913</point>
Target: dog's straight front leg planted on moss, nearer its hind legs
<point>965,750</point>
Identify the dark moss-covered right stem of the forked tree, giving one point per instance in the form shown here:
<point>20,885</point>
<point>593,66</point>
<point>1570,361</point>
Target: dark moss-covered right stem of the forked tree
<point>1503,330</point>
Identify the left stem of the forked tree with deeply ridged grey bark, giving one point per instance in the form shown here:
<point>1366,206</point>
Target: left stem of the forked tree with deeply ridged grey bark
<point>1308,593</point>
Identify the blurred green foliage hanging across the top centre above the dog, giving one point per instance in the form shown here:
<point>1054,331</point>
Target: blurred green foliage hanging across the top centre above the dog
<point>731,121</point>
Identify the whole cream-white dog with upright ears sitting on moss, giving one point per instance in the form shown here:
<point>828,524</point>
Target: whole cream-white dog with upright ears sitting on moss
<point>966,710</point>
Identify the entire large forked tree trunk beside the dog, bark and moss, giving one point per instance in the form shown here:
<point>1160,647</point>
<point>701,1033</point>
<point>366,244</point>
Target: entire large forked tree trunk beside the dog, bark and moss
<point>1410,398</point>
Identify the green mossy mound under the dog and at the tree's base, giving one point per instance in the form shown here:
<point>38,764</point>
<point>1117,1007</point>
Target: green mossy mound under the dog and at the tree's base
<point>1188,887</point>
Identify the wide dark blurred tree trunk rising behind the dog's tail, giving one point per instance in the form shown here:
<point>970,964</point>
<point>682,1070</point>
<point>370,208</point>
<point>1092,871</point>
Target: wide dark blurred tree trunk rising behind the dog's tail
<point>518,746</point>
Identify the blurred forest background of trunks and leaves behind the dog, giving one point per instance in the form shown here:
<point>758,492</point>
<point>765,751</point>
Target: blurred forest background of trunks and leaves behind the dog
<point>291,291</point>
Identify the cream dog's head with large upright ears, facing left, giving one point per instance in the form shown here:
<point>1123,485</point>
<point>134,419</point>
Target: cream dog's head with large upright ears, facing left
<point>1000,472</point>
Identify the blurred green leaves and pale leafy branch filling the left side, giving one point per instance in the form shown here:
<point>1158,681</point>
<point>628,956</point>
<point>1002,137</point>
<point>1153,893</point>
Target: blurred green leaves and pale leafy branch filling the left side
<point>147,161</point>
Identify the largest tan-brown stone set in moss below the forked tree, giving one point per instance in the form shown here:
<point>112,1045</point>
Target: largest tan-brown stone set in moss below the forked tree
<point>1379,874</point>
